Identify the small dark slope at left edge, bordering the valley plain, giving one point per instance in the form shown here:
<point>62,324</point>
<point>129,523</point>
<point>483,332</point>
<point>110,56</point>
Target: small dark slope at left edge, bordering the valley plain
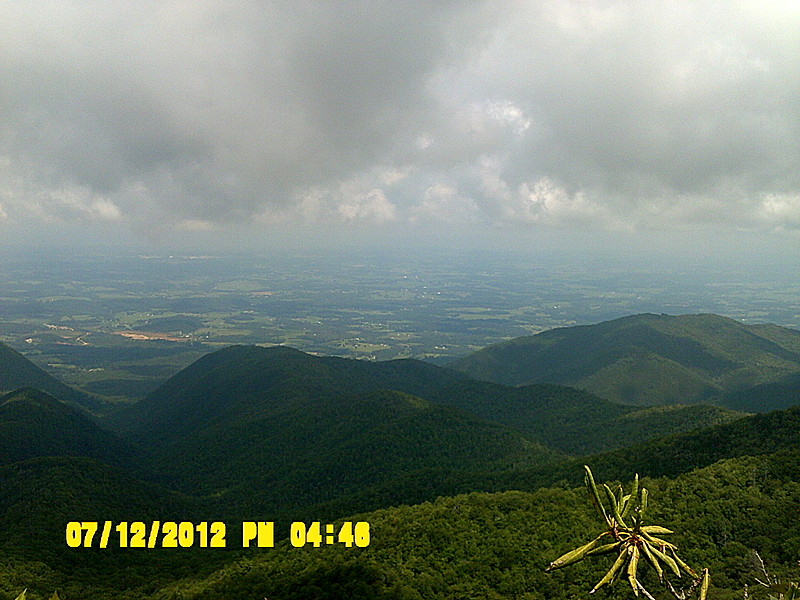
<point>16,371</point>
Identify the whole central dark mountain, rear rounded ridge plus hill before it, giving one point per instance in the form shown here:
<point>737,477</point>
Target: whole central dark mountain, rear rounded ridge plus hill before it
<point>276,429</point>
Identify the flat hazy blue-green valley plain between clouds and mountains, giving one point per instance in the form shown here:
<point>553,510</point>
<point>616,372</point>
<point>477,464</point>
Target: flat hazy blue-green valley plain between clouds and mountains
<point>118,324</point>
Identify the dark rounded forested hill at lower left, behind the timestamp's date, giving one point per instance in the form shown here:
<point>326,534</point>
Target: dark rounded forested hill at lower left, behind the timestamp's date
<point>41,495</point>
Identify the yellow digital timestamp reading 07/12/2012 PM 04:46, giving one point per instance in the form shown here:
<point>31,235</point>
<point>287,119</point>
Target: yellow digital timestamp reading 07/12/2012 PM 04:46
<point>187,534</point>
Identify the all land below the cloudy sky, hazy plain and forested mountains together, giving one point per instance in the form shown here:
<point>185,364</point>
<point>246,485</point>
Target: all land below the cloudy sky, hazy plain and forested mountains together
<point>450,409</point>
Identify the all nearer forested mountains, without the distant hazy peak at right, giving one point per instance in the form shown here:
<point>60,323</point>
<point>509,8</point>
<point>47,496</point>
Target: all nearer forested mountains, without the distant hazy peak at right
<point>251,433</point>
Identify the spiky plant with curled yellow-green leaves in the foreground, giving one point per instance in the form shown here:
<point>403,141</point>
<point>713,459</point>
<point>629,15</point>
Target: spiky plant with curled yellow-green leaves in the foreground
<point>633,542</point>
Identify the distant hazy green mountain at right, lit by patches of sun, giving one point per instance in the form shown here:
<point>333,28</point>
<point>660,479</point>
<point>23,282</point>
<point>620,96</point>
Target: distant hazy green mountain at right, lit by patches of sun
<point>647,359</point>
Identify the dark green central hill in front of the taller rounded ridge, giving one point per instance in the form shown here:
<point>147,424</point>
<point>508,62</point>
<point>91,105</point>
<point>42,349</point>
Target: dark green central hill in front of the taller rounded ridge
<point>319,450</point>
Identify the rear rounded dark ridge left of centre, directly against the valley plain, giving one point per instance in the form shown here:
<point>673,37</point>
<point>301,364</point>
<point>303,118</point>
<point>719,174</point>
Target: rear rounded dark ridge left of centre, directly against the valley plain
<point>241,382</point>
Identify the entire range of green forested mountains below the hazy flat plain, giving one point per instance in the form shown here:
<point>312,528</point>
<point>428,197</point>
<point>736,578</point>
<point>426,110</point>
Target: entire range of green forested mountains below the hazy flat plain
<point>254,433</point>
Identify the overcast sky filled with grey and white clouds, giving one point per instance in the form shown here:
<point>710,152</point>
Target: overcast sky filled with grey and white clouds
<point>200,117</point>
